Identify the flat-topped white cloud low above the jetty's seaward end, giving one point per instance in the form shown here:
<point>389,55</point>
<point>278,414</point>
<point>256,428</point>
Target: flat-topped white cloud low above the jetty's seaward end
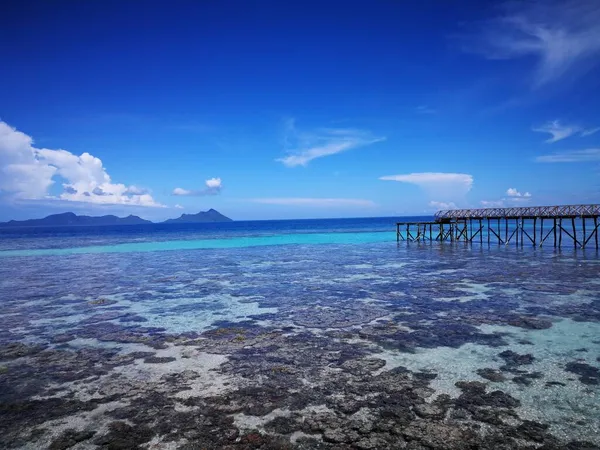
<point>441,186</point>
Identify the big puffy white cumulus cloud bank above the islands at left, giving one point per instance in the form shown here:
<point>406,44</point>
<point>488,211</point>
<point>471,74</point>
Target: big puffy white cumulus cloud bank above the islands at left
<point>29,172</point>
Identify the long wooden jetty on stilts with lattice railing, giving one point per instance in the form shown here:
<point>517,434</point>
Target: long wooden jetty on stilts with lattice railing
<point>577,224</point>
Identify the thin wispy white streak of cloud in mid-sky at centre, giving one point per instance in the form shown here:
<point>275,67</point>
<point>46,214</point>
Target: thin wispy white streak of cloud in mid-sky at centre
<point>303,147</point>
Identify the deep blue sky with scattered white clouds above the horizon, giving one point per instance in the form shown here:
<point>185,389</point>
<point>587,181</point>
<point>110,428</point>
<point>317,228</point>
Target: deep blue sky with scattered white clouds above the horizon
<point>297,109</point>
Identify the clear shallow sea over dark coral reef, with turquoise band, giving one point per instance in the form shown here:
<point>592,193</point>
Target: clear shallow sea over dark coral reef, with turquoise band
<point>325,334</point>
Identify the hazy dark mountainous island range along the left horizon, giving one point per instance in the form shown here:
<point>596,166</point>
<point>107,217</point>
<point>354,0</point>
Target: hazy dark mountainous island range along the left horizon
<point>72,219</point>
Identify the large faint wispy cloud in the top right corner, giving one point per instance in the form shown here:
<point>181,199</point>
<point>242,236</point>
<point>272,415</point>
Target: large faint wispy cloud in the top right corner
<point>560,35</point>
